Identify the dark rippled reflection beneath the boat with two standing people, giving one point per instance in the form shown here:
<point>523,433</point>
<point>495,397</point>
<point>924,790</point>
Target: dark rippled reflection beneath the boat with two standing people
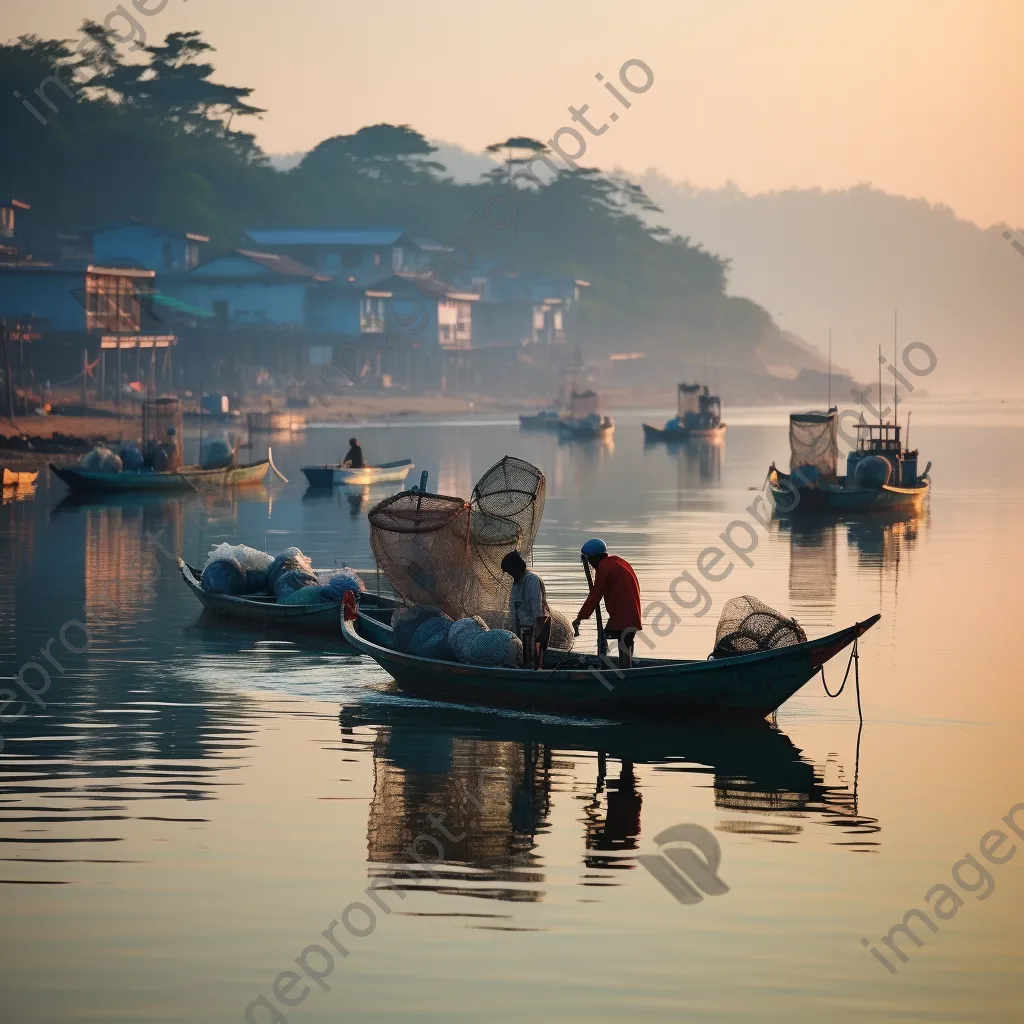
<point>492,784</point>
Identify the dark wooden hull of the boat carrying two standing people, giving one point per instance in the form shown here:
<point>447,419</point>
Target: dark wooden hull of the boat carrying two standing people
<point>745,687</point>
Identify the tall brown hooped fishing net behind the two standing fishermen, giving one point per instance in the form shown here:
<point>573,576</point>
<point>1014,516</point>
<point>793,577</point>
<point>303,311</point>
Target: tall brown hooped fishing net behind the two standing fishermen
<point>448,552</point>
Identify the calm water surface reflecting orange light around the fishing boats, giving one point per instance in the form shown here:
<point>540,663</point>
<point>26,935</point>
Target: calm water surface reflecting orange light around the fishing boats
<point>195,805</point>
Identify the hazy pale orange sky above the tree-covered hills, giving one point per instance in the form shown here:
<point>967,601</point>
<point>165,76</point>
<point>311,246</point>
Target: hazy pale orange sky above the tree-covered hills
<point>921,98</point>
